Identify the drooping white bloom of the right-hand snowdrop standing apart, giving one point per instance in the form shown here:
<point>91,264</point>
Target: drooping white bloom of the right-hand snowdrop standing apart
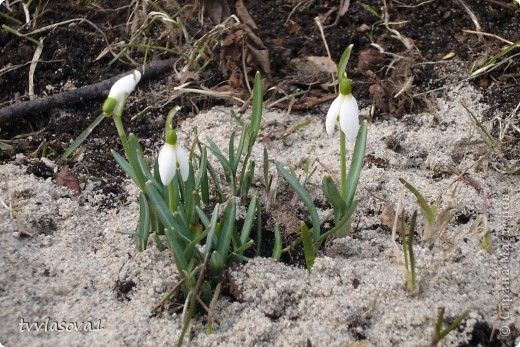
<point>343,110</point>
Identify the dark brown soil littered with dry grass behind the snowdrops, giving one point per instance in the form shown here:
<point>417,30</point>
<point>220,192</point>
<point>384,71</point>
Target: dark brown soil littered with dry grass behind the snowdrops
<point>288,30</point>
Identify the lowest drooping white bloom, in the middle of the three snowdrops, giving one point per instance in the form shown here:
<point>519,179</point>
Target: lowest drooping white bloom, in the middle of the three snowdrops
<point>171,157</point>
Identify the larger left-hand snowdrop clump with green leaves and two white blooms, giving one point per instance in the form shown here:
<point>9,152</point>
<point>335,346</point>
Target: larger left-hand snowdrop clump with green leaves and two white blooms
<point>173,210</point>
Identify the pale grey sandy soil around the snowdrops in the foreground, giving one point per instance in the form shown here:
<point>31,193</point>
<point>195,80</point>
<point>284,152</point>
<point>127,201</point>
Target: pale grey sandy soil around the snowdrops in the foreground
<point>70,267</point>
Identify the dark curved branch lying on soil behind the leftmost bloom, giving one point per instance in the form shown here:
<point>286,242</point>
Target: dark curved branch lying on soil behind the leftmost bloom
<point>93,91</point>
